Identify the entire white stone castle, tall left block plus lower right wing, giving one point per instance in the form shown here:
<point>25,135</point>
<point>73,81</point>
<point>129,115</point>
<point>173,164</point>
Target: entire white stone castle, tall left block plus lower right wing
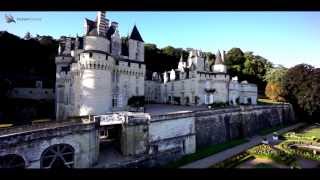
<point>99,72</point>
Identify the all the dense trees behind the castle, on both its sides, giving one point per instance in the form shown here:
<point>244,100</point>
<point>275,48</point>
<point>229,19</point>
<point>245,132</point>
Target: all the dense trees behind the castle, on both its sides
<point>27,59</point>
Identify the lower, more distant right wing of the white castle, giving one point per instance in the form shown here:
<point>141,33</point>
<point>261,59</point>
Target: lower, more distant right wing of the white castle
<point>195,82</point>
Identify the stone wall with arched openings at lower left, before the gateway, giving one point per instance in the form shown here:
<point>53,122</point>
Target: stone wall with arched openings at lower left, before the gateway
<point>32,141</point>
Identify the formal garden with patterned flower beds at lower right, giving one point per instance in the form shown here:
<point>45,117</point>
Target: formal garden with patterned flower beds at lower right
<point>296,149</point>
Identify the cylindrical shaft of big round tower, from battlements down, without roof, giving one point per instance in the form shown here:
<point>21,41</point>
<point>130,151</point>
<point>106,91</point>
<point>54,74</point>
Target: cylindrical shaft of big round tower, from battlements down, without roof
<point>95,91</point>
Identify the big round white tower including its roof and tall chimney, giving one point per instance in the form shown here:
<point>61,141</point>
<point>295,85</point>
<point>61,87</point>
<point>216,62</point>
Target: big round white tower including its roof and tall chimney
<point>94,94</point>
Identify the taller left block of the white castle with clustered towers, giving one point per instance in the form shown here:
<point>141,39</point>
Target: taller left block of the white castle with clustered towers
<point>99,72</point>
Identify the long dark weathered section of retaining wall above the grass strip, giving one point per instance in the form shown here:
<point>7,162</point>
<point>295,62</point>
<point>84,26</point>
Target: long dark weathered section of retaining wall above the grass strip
<point>218,126</point>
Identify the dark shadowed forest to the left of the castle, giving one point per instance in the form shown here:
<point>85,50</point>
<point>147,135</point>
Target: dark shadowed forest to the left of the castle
<point>25,60</point>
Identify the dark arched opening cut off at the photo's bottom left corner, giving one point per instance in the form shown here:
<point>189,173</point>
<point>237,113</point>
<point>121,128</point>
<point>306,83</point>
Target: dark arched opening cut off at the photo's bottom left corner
<point>12,161</point>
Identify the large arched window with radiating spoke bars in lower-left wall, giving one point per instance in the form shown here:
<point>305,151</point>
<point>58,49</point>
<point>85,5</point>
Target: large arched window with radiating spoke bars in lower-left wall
<point>58,156</point>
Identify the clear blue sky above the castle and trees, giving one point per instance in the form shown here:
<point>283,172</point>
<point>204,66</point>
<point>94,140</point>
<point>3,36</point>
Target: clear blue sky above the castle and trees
<point>286,38</point>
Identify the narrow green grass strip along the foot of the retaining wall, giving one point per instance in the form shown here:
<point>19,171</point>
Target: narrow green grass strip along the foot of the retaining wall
<point>205,152</point>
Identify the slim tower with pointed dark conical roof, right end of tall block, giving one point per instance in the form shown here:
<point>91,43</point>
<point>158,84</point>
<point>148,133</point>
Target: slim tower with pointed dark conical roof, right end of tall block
<point>136,45</point>
